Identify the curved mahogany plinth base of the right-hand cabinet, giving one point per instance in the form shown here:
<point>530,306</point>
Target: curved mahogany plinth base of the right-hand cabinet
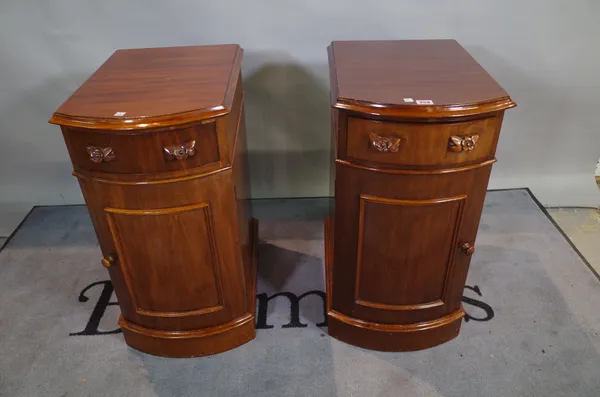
<point>393,337</point>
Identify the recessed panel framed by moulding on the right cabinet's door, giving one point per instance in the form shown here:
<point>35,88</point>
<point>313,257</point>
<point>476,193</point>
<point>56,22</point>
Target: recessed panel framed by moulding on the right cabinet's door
<point>405,251</point>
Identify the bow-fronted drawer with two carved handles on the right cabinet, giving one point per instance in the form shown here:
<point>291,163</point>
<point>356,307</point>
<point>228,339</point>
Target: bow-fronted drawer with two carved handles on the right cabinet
<point>427,145</point>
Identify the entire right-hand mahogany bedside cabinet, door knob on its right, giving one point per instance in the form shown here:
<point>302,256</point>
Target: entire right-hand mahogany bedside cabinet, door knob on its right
<point>415,126</point>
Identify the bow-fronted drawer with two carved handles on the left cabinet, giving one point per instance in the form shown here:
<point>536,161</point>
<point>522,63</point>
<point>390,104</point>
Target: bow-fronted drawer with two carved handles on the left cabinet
<point>153,152</point>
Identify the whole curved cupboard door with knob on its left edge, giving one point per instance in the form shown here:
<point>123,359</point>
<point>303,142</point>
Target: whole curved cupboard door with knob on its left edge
<point>175,250</point>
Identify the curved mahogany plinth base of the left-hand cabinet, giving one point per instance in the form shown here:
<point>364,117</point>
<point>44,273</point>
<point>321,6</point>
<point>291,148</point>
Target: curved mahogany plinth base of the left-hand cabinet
<point>194,343</point>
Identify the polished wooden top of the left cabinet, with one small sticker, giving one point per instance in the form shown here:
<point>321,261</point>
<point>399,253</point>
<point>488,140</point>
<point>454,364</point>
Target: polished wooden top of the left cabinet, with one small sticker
<point>155,87</point>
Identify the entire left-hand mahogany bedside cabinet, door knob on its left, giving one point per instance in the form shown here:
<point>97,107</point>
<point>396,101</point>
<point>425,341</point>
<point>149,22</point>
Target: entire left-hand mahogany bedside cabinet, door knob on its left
<point>157,141</point>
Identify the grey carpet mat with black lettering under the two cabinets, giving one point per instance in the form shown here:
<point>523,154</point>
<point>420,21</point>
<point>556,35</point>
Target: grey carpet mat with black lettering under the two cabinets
<point>533,320</point>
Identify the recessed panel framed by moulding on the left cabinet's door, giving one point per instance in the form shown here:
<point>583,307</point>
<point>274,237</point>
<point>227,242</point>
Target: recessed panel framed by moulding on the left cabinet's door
<point>169,249</point>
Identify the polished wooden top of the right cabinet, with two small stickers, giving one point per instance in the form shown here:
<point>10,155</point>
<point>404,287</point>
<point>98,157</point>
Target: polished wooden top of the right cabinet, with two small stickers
<point>412,78</point>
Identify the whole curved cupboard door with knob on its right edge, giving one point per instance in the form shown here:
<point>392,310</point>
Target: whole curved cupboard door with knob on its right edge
<point>403,242</point>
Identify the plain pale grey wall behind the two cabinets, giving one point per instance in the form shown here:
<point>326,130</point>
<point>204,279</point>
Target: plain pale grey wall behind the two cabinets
<point>544,53</point>
